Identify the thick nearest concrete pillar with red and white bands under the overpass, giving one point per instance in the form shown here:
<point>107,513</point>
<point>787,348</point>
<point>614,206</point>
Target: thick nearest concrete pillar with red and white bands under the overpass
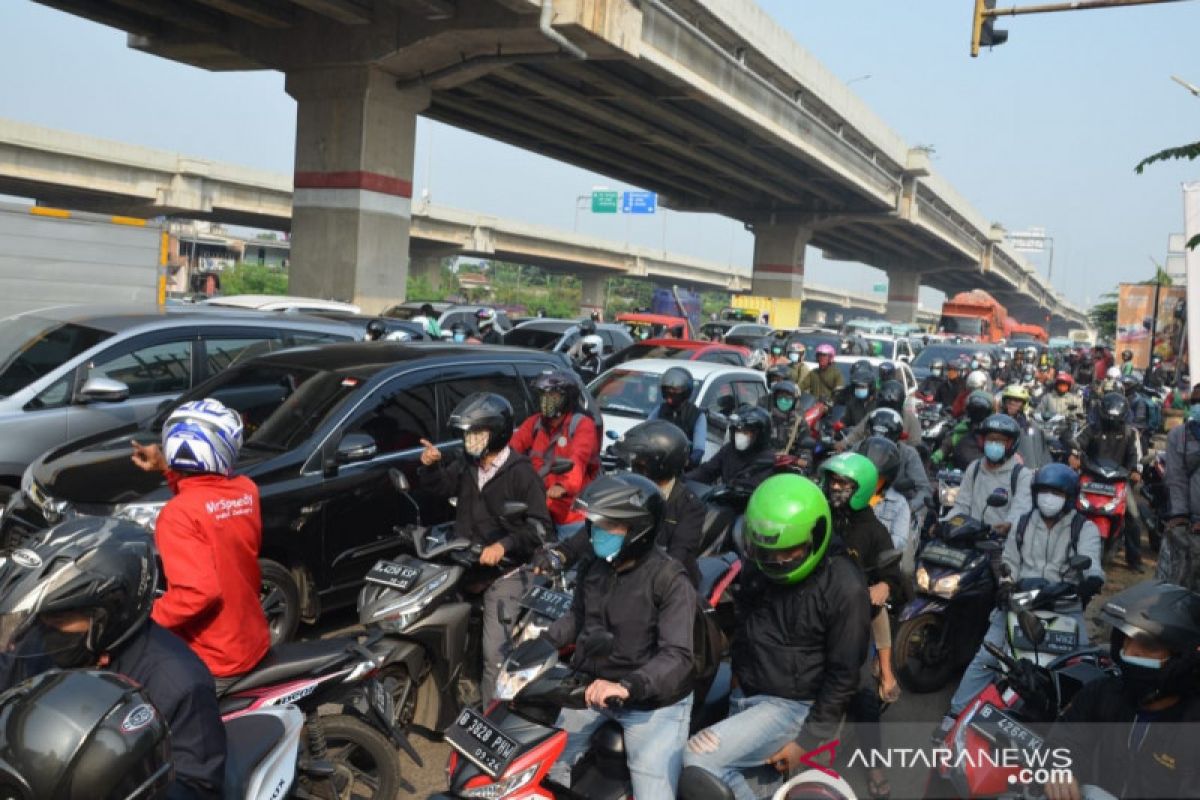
<point>356,136</point>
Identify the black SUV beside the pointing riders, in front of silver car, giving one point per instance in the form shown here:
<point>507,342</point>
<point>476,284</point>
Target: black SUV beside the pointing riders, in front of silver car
<point>323,425</point>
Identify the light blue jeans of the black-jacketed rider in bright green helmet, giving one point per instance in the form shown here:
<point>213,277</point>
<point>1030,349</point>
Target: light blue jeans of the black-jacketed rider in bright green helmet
<point>758,727</point>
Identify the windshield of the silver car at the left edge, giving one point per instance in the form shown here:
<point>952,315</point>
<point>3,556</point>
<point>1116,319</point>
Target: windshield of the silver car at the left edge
<point>33,347</point>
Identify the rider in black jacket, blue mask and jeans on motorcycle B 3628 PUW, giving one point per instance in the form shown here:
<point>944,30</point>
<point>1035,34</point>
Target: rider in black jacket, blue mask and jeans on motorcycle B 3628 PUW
<point>640,600</point>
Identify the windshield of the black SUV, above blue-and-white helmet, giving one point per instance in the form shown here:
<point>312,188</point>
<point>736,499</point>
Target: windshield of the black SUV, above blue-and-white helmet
<point>280,406</point>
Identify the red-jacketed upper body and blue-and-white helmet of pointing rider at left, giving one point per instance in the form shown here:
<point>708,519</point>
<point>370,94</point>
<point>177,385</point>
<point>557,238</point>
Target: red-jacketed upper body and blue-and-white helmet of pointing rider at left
<point>209,537</point>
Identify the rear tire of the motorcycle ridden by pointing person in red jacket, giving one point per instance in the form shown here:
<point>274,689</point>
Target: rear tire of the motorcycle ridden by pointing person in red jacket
<point>367,763</point>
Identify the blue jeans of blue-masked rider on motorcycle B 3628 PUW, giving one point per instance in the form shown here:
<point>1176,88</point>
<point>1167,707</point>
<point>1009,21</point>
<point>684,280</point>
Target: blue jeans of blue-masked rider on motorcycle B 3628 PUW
<point>655,743</point>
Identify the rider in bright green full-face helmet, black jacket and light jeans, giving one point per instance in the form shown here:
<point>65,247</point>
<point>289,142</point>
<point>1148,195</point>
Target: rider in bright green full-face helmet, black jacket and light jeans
<point>803,617</point>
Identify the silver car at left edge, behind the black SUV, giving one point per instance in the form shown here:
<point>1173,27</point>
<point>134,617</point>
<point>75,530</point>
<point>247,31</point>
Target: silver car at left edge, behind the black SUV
<point>76,371</point>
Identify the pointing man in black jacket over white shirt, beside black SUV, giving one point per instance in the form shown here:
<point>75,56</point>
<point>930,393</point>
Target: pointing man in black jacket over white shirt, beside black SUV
<point>484,479</point>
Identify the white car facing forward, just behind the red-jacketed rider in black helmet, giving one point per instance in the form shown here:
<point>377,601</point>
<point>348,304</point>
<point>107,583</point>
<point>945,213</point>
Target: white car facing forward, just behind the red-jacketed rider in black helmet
<point>627,394</point>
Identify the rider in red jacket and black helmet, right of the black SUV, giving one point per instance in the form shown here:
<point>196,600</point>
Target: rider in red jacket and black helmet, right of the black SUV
<point>560,432</point>
